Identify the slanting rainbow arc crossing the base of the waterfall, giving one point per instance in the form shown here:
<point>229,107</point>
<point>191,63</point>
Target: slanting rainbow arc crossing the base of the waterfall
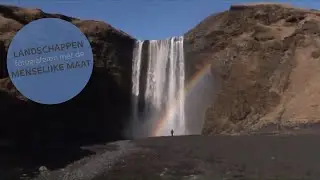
<point>172,105</point>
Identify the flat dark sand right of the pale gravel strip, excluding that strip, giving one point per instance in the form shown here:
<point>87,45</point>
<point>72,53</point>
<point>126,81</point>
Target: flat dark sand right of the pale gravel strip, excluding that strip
<point>217,158</point>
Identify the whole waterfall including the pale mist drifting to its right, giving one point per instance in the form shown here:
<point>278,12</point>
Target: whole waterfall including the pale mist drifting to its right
<point>161,100</point>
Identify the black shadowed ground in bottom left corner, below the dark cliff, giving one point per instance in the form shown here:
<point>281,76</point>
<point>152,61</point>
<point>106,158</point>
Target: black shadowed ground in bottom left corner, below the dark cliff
<point>17,164</point>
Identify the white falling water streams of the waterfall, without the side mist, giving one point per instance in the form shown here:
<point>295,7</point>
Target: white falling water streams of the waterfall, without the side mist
<point>164,85</point>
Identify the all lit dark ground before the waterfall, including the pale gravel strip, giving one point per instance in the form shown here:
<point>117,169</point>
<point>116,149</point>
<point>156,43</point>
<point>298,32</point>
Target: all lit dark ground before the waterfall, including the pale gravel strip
<point>255,157</point>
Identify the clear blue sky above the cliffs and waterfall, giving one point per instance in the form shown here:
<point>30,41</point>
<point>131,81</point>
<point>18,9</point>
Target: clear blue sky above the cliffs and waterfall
<point>144,19</point>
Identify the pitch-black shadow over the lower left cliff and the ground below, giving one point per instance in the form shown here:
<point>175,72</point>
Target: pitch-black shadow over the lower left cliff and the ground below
<point>54,136</point>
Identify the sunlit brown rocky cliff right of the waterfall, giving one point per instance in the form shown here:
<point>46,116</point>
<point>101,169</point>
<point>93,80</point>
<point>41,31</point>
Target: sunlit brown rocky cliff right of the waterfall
<point>265,58</point>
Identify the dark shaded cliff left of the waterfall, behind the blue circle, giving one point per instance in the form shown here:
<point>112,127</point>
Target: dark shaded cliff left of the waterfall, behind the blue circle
<point>98,113</point>
